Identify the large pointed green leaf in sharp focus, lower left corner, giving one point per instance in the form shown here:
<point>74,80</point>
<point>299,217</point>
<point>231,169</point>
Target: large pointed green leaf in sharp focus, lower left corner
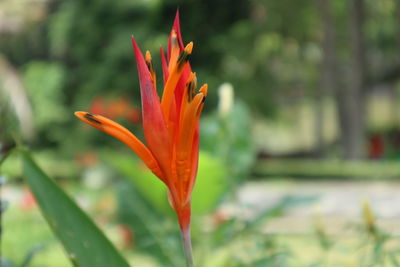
<point>84,242</point>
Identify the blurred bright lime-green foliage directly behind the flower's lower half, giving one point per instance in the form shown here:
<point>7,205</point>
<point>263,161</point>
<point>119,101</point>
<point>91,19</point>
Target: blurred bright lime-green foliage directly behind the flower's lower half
<point>211,184</point>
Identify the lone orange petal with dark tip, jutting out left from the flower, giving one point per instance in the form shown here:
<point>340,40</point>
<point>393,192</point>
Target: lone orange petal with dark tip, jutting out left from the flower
<point>118,131</point>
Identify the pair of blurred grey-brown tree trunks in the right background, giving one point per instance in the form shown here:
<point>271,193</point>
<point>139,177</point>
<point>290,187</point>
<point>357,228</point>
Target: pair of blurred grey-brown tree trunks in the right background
<point>349,93</point>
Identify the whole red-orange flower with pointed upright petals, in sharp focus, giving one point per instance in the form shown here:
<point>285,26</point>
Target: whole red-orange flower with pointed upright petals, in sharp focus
<point>171,126</point>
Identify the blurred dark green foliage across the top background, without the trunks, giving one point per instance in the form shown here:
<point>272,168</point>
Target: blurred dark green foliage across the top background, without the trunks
<point>269,50</point>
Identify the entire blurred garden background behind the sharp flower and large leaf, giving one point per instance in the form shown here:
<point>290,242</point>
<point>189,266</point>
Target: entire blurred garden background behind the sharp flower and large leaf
<point>300,137</point>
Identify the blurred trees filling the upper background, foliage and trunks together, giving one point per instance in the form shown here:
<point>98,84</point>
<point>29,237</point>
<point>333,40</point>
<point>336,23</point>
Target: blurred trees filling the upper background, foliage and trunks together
<point>271,52</point>
